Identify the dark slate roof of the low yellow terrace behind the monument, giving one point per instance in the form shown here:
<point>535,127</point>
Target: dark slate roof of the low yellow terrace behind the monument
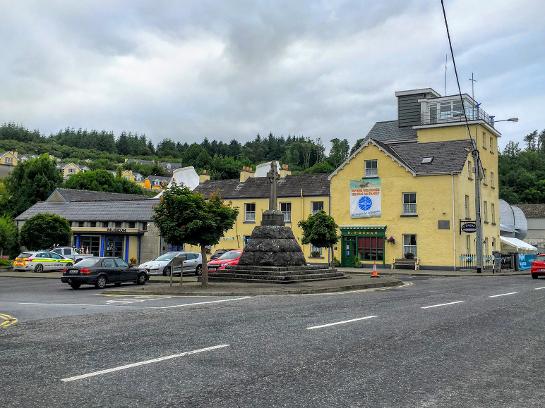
<point>258,187</point>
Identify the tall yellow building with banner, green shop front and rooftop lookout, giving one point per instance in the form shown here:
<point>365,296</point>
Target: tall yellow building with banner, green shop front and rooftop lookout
<point>410,189</point>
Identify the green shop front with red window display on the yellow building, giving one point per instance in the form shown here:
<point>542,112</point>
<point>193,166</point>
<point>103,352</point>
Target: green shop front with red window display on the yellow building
<point>362,244</point>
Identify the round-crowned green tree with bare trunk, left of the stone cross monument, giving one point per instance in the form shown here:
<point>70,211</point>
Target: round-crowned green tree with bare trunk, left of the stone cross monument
<point>184,217</point>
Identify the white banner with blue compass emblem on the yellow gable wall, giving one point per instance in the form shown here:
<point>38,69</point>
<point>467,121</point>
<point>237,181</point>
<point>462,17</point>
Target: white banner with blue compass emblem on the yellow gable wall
<point>365,198</point>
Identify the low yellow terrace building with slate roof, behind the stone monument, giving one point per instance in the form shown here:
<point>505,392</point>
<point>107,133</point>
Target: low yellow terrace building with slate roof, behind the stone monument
<point>298,197</point>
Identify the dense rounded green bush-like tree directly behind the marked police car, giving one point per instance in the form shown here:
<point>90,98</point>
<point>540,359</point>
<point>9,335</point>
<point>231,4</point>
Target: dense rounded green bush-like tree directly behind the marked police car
<point>45,231</point>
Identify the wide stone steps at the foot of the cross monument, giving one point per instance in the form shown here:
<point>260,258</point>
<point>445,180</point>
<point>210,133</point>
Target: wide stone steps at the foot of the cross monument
<point>276,274</point>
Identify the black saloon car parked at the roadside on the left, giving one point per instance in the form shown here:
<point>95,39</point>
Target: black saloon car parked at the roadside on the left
<point>100,271</point>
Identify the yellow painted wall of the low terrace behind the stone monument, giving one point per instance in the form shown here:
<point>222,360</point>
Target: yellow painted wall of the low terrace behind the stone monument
<point>301,208</point>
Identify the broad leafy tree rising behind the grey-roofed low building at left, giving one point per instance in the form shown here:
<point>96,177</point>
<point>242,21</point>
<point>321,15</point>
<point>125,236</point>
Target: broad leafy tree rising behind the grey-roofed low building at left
<point>102,180</point>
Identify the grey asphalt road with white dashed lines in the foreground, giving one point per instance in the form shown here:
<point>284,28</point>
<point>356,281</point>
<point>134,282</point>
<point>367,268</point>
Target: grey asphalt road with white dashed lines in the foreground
<point>440,342</point>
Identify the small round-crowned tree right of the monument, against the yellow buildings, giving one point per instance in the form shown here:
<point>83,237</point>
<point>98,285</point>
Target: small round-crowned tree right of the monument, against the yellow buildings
<point>320,230</point>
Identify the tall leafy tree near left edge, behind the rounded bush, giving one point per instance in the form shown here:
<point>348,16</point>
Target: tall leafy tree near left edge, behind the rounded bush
<point>31,181</point>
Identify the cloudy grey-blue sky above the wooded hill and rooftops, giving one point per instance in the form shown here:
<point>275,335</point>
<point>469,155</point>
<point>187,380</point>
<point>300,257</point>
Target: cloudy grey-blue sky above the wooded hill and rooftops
<point>227,69</point>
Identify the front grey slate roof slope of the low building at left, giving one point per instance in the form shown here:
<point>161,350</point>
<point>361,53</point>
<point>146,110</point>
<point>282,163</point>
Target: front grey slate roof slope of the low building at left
<point>95,210</point>
